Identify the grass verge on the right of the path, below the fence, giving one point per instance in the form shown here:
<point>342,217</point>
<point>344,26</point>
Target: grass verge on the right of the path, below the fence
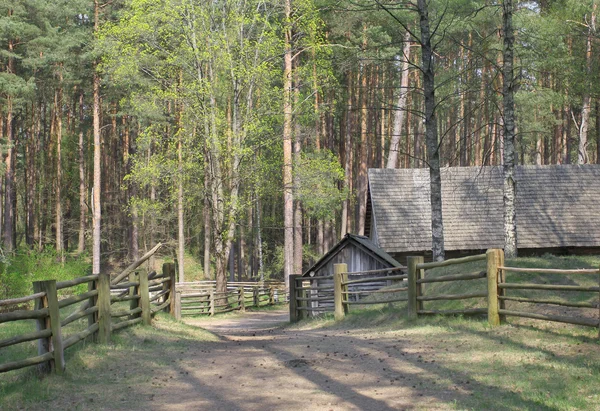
<point>530,365</point>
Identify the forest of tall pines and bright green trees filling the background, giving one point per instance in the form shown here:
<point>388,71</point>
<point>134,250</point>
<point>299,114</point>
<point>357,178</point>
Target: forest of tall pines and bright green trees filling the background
<point>239,132</point>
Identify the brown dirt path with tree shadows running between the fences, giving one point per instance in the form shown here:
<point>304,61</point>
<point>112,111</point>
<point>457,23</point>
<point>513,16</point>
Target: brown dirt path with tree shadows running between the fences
<point>259,365</point>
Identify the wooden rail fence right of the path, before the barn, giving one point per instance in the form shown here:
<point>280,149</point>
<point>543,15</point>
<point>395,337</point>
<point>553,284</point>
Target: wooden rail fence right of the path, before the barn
<point>411,287</point>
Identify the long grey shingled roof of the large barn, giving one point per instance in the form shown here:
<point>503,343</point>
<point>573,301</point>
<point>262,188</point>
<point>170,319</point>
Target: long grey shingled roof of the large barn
<point>557,206</point>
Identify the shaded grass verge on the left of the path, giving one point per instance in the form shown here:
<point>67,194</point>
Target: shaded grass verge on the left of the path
<point>94,370</point>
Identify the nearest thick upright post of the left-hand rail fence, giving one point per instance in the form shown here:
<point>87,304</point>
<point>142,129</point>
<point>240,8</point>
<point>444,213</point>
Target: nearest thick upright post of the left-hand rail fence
<point>53,323</point>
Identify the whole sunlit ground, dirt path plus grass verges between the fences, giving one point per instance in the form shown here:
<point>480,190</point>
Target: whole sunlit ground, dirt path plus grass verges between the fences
<point>258,361</point>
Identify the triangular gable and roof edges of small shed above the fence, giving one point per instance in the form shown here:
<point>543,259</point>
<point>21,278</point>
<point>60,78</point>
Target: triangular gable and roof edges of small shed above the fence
<point>360,253</point>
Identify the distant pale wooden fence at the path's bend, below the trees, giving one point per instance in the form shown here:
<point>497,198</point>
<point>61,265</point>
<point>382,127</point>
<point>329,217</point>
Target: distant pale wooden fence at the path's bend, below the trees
<point>201,297</point>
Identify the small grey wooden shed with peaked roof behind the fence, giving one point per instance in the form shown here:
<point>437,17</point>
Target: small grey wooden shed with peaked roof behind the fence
<point>361,255</point>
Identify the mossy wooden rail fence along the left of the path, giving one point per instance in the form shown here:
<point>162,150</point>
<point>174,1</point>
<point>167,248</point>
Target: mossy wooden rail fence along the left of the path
<point>102,310</point>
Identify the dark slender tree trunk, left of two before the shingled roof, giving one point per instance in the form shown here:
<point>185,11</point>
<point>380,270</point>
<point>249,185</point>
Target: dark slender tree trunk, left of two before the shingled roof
<point>431,136</point>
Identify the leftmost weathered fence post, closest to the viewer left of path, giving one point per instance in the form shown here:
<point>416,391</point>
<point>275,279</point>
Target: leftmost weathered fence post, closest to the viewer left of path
<point>54,342</point>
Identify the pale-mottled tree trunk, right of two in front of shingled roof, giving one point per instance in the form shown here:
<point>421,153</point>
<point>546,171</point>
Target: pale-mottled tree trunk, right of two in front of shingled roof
<point>508,89</point>
